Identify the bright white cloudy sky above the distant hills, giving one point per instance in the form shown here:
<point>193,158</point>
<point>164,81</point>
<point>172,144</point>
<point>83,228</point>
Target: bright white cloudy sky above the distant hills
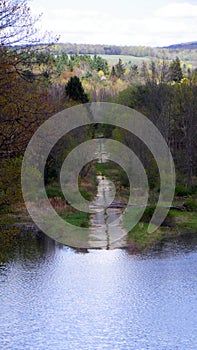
<point>123,22</point>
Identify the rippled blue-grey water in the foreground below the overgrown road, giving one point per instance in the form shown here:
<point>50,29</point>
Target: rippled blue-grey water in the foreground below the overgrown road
<point>55,298</point>
